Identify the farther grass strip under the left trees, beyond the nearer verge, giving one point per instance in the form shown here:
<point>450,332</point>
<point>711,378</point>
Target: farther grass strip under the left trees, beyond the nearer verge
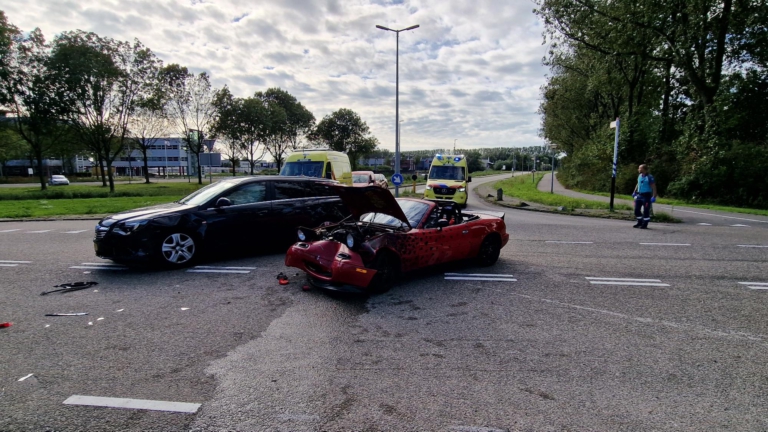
<point>176,190</point>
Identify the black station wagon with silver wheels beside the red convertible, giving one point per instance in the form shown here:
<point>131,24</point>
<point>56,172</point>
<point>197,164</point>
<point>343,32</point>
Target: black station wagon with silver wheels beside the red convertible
<point>234,215</point>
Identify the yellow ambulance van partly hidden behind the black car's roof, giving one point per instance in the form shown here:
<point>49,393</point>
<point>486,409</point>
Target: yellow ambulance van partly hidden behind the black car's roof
<point>319,163</point>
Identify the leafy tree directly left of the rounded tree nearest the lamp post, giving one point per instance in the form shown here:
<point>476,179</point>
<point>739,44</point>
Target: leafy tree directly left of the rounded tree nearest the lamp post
<point>289,123</point>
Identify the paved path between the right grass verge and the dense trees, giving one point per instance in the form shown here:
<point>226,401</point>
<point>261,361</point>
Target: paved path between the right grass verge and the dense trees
<point>687,214</point>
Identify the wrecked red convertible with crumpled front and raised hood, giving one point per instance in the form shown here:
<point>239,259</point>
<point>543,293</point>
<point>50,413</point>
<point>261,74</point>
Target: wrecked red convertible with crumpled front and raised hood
<point>384,237</point>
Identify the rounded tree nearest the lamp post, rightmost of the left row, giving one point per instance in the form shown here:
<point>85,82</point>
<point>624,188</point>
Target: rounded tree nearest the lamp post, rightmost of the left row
<point>345,131</point>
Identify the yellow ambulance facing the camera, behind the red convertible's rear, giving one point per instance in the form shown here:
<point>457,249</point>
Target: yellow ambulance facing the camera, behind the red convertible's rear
<point>448,178</point>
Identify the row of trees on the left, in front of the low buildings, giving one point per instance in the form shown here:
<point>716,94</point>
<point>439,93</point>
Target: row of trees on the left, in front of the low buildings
<point>87,94</point>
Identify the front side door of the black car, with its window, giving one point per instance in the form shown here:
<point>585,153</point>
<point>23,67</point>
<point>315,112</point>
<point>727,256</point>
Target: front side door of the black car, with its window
<point>244,225</point>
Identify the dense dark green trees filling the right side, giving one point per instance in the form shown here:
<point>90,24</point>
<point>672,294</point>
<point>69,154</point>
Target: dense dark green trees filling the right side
<point>687,78</point>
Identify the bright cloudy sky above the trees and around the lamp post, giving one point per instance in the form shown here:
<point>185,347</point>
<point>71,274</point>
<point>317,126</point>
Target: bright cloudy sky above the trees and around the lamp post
<point>471,72</point>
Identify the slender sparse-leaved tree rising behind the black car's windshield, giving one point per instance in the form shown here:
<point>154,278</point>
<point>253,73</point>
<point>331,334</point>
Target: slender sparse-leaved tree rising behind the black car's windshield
<point>190,108</point>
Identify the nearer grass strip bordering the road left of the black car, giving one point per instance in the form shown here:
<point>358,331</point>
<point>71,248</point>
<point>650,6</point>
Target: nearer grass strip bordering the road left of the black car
<point>93,206</point>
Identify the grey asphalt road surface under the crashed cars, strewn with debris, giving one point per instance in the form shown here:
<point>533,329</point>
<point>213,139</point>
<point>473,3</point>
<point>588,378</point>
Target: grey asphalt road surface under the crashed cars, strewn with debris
<point>550,351</point>
